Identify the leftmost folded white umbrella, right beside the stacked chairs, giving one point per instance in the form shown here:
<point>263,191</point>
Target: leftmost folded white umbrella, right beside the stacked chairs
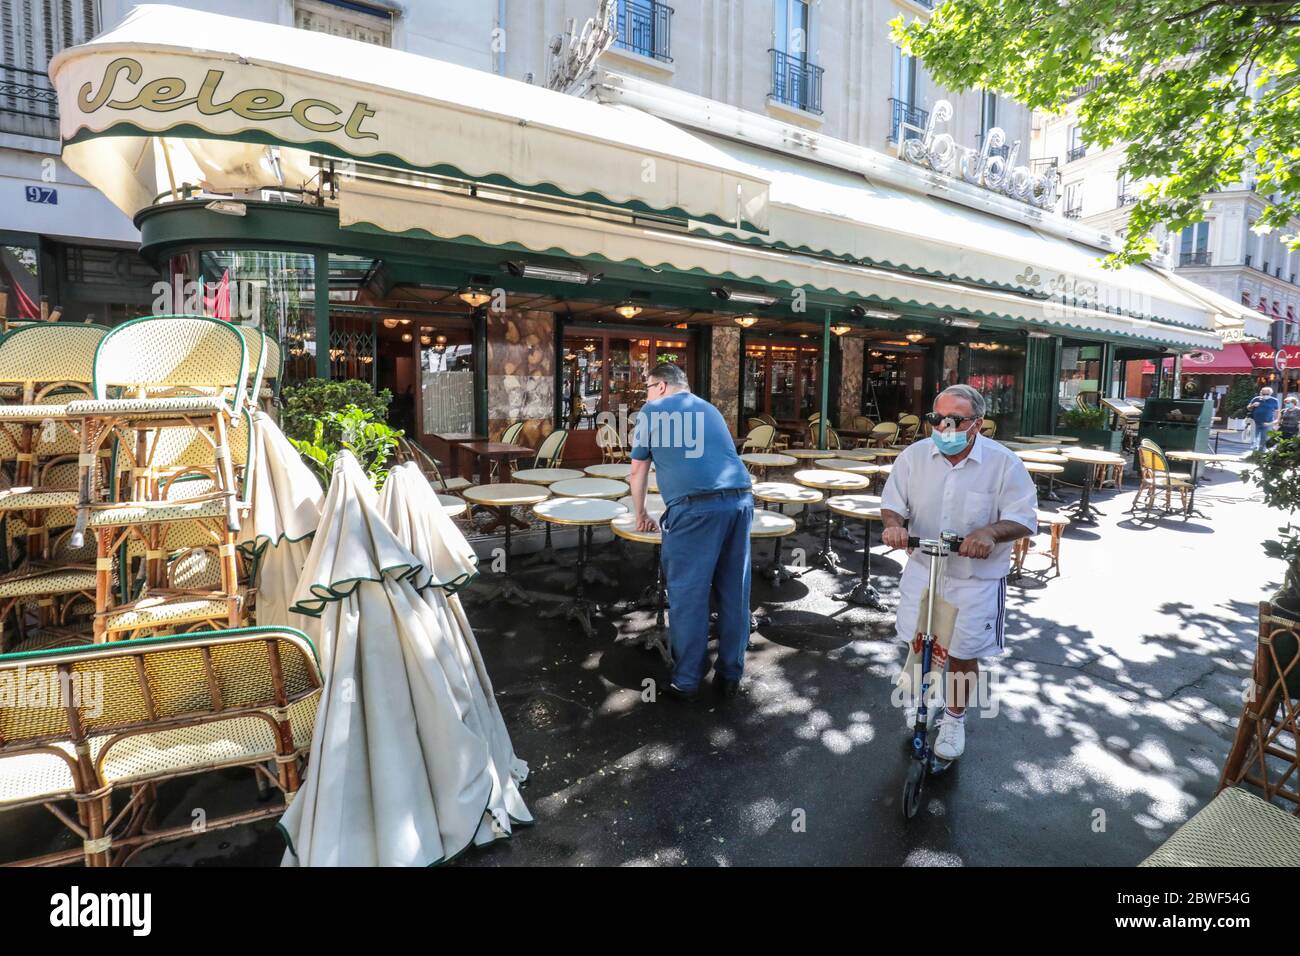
<point>287,508</point>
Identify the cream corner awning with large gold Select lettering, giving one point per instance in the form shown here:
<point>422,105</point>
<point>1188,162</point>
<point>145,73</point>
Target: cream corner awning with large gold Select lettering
<point>242,106</point>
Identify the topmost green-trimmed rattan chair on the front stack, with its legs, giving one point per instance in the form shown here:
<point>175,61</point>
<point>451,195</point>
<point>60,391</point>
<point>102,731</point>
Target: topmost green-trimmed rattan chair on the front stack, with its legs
<point>170,373</point>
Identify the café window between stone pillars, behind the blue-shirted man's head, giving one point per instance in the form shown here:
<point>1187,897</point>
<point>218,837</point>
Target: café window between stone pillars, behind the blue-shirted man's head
<point>606,371</point>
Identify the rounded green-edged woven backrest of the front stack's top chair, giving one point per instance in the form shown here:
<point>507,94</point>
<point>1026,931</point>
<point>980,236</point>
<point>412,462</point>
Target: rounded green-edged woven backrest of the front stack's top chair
<point>174,353</point>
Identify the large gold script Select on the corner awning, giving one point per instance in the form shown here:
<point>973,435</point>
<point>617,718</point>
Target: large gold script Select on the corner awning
<point>167,94</point>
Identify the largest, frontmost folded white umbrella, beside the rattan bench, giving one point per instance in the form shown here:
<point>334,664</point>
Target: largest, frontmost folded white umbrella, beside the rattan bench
<point>396,777</point>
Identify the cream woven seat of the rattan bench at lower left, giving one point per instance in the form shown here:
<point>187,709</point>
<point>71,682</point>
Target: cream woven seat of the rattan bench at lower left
<point>32,778</point>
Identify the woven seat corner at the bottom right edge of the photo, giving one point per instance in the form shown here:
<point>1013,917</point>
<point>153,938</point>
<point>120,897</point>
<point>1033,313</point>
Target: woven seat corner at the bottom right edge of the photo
<point>1234,829</point>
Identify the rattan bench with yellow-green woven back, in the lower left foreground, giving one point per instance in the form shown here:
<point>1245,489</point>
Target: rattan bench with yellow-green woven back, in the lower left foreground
<point>81,726</point>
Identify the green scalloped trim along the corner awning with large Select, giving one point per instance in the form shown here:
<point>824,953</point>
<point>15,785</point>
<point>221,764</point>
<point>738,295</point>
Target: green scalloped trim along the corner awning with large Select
<point>125,128</point>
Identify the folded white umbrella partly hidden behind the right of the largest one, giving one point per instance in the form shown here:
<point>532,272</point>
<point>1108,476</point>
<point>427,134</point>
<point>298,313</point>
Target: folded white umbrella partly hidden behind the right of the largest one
<point>411,509</point>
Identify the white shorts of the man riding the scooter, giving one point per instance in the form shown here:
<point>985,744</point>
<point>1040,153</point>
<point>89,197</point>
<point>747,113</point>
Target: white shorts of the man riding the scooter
<point>981,630</point>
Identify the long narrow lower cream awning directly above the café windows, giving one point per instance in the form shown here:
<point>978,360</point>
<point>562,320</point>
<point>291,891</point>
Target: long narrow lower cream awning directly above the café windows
<point>513,226</point>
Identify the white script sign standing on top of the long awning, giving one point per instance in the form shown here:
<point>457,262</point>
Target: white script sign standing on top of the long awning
<point>939,152</point>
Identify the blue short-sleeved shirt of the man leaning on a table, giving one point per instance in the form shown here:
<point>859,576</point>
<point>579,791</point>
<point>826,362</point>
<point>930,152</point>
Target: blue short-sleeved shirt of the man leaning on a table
<point>692,449</point>
